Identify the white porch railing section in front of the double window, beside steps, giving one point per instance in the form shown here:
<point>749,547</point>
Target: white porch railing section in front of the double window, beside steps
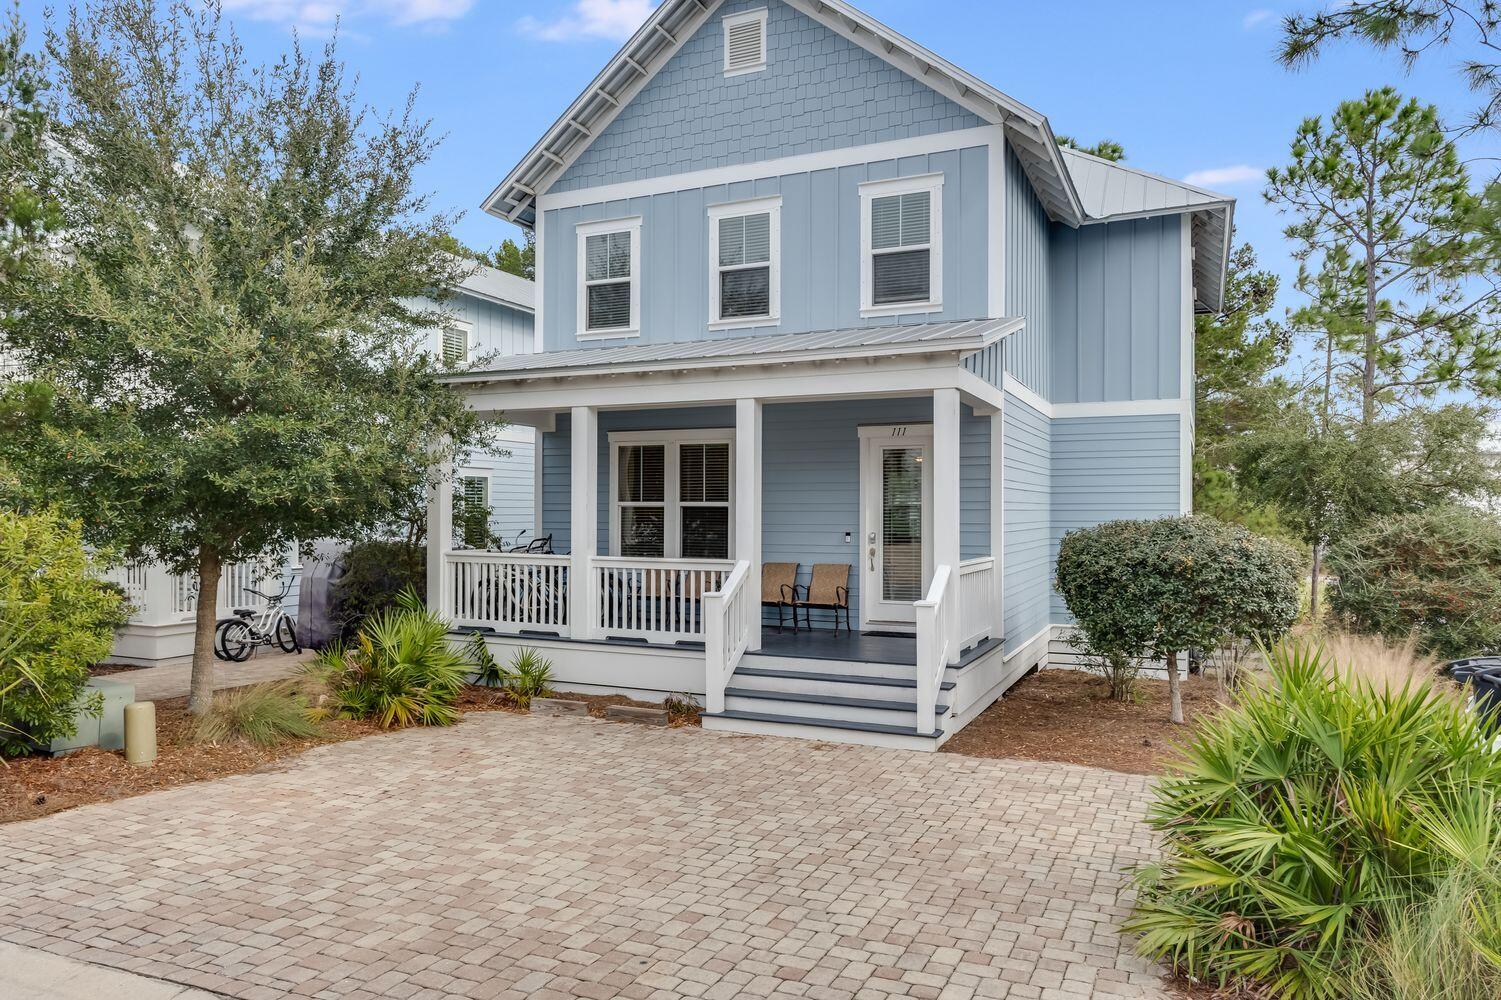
<point>657,600</point>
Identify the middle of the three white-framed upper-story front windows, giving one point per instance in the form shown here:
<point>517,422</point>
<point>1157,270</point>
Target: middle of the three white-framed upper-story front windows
<point>745,250</point>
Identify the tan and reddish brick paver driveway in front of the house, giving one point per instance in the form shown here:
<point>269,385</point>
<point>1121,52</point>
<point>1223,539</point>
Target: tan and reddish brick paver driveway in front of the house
<point>540,858</point>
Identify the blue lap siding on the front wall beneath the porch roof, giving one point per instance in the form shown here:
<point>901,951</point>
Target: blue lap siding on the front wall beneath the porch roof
<point>810,472</point>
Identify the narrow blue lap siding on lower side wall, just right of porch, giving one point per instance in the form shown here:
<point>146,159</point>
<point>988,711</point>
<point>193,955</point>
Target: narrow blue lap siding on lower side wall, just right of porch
<point>1027,523</point>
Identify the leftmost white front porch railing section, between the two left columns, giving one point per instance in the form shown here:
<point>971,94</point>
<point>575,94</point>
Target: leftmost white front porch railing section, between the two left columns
<point>508,591</point>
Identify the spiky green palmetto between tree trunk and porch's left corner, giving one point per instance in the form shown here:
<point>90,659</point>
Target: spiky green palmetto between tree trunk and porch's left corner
<point>400,672</point>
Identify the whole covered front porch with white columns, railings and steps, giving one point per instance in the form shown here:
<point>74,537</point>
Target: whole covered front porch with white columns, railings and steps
<point>672,522</point>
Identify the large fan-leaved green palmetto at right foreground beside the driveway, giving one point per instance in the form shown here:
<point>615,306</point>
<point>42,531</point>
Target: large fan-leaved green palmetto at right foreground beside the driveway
<point>1301,821</point>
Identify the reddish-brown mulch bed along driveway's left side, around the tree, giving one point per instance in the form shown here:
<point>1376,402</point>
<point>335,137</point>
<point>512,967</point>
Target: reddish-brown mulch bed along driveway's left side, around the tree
<point>34,788</point>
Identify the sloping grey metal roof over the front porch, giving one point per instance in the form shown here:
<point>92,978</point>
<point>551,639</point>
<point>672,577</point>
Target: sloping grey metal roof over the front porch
<point>867,342</point>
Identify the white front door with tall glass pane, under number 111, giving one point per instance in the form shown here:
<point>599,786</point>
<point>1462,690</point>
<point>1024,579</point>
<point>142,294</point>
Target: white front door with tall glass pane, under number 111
<point>895,522</point>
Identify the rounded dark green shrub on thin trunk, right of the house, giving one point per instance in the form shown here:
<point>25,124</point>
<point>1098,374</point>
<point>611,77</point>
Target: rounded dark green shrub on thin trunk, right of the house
<point>1155,589</point>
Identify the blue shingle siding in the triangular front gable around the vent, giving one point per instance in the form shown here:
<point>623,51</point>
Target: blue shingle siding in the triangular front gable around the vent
<point>819,92</point>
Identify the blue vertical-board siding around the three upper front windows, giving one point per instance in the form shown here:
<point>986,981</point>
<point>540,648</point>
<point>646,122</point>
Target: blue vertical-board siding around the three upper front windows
<point>820,264</point>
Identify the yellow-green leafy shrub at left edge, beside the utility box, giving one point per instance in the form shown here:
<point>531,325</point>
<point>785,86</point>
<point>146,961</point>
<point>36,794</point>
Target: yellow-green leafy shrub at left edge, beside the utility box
<point>56,621</point>
